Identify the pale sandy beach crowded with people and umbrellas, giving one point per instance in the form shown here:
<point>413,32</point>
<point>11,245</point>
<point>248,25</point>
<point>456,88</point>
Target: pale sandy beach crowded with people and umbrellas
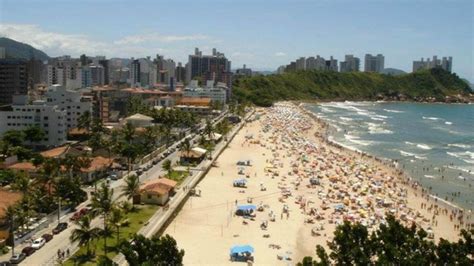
<point>302,187</point>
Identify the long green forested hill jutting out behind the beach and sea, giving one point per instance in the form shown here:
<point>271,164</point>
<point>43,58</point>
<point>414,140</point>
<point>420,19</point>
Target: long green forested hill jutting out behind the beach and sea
<point>427,85</point>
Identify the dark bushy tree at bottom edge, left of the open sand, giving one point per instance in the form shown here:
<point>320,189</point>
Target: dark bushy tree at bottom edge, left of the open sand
<point>155,251</point>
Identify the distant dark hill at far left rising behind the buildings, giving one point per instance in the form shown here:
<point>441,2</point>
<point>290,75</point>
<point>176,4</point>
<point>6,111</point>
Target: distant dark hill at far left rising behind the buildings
<point>16,49</point>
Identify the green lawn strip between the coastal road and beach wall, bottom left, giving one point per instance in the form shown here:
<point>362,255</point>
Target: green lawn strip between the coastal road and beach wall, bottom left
<point>136,221</point>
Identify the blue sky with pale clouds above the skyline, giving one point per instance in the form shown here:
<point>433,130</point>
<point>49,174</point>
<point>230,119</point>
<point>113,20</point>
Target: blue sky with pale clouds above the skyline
<point>263,34</point>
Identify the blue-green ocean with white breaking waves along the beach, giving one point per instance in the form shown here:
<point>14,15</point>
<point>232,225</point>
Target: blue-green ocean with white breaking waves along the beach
<point>432,143</point>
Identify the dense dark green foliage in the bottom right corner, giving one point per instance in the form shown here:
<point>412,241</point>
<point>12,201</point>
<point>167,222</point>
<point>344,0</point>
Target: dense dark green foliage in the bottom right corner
<point>392,244</point>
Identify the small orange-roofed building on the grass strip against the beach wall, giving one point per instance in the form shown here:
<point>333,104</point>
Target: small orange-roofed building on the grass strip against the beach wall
<point>157,191</point>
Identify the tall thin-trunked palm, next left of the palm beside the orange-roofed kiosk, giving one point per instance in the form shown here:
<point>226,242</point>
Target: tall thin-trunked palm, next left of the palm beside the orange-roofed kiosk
<point>103,204</point>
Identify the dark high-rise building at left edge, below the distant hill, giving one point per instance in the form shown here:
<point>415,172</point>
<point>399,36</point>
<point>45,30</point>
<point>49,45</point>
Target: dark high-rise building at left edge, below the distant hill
<point>14,79</point>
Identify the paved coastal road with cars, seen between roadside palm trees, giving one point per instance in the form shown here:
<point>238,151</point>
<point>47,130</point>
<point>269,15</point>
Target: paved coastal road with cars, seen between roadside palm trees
<point>48,254</point>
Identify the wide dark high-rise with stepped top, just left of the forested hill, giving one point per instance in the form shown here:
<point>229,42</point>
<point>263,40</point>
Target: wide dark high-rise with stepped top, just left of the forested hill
<point>215,67</point>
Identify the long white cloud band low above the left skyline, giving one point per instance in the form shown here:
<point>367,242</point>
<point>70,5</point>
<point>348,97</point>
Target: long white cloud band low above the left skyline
<point>55,44</point>
